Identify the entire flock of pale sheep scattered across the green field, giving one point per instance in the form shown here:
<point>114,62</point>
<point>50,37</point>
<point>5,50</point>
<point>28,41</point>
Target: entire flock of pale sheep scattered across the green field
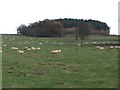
<point>35,49</point>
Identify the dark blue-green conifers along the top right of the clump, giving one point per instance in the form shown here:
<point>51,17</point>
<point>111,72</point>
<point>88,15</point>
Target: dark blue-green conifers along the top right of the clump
<point>68,23</point>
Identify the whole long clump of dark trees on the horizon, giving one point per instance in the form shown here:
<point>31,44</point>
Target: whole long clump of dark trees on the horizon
<point>57,27</point>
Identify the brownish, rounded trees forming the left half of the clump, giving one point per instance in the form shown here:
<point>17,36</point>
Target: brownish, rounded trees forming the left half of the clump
<point>46,28</point>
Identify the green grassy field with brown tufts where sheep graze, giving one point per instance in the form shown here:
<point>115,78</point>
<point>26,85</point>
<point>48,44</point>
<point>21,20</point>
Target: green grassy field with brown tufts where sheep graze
<point>75,67</point>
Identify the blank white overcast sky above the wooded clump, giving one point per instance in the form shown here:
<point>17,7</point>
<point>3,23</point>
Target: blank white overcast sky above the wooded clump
<point>13,13</point>
